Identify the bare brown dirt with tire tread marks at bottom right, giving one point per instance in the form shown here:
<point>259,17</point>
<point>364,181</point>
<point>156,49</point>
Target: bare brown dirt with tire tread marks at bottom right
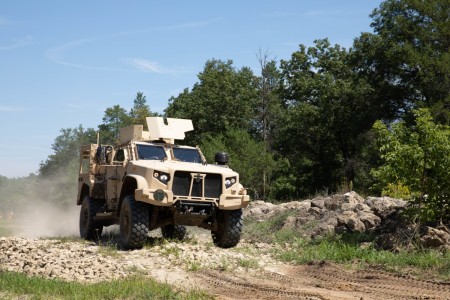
<point>320,281</point>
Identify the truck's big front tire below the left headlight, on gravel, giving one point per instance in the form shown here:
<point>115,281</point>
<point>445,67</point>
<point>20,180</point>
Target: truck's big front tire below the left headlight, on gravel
<point>134,221</point>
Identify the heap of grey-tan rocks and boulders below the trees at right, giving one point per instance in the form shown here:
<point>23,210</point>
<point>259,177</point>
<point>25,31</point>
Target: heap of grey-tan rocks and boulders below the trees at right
<point>349,213</point>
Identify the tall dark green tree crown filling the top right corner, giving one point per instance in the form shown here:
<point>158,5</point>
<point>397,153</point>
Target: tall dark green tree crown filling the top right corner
<point>415,51</point>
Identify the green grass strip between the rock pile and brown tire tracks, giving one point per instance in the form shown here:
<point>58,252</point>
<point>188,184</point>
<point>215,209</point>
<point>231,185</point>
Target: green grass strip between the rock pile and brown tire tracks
<point>350,249</point>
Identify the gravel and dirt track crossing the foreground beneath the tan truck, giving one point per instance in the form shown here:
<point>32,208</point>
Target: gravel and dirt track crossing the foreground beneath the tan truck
<point>248,271</point>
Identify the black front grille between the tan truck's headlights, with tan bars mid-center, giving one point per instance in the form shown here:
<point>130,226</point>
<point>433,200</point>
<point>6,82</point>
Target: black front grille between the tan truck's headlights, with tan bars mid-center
<point>182,183</point>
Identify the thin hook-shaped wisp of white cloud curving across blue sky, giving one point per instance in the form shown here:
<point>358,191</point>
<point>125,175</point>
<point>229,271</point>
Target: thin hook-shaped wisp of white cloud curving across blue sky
<point>57,54</point>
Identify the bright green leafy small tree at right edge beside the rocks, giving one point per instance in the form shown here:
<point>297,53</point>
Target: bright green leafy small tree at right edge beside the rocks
<point>416,162</point>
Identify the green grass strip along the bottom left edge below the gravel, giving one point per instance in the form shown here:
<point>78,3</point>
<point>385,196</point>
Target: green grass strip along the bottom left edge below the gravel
<point>138,287</point>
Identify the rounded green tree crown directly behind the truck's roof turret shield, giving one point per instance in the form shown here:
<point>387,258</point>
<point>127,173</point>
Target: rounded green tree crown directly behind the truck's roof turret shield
<point>223,99</point>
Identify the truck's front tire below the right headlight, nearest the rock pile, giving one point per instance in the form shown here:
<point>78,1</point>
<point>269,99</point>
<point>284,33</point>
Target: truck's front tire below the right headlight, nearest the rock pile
<point>230,228</point>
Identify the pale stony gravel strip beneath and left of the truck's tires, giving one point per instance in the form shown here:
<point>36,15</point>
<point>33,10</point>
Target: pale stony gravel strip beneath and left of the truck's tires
<point>169,261</point>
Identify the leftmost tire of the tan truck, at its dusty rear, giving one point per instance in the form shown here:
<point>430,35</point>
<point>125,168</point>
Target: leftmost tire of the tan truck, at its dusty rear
<point>89,229</point>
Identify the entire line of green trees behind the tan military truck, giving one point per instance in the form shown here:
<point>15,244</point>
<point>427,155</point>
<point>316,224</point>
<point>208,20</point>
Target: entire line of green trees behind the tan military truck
<point>305,125</point>
